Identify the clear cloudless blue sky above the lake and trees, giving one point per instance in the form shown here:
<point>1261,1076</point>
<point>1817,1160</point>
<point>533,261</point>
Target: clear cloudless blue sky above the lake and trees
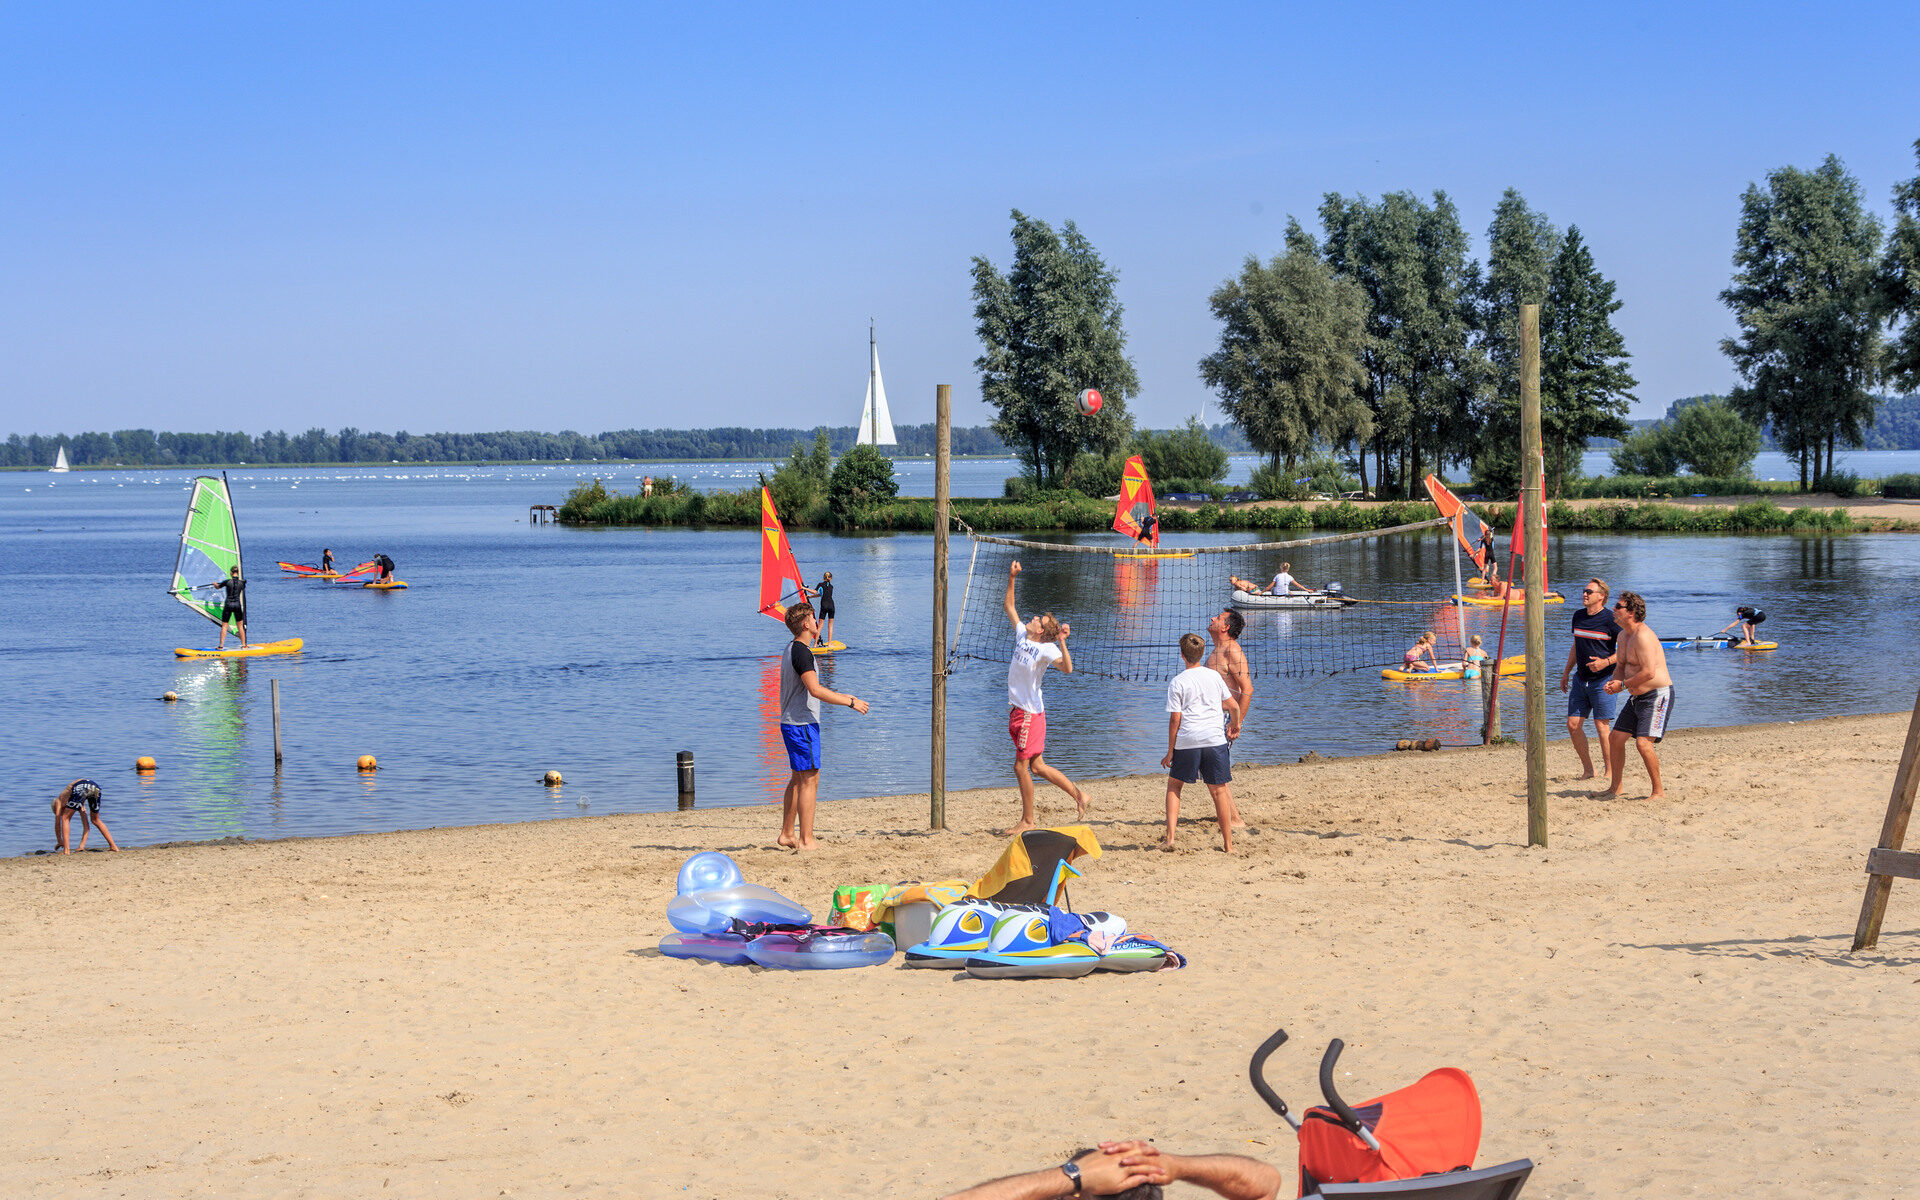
<point>606,216</point>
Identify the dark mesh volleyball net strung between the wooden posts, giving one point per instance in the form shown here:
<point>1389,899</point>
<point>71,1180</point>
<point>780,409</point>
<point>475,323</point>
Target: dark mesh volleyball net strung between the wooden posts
<point>1130,610</point>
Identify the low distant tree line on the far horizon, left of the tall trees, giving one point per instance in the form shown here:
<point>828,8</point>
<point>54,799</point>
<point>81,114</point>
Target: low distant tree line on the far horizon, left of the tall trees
<point>145,448</point>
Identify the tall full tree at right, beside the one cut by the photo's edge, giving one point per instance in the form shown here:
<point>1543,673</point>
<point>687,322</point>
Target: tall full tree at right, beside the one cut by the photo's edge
<point>1806,297</point>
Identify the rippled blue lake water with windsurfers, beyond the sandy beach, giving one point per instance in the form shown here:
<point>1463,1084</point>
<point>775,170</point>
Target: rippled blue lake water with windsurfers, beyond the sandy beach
<point>600,654</point>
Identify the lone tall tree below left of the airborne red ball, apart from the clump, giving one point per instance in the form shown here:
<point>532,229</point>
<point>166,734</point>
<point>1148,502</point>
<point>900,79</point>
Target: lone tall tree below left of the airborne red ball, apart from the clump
<point>1051,327</point>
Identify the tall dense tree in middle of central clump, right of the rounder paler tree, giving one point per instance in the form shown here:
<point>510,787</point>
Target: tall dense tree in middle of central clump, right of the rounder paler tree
<point>1422,372</point>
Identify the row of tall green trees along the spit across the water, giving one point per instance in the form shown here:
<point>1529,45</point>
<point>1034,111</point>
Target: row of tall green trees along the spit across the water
<point>1380,339</point>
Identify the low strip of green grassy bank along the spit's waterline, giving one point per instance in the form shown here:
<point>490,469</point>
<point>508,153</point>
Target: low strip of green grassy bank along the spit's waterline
<point>1067,514</point>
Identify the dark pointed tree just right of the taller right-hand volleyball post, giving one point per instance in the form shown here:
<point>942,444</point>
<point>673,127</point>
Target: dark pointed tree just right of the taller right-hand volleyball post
<point>1585,387</point>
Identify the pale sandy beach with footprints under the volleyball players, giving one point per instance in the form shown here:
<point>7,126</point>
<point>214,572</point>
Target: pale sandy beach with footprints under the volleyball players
<point>1660,1003</point>
